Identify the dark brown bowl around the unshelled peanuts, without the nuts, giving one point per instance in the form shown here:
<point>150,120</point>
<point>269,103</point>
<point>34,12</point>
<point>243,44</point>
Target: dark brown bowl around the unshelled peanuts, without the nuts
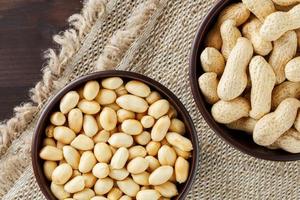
<point>238,139</point>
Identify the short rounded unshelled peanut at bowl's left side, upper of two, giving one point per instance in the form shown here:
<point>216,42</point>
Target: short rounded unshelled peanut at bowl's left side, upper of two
<point>212,60</point>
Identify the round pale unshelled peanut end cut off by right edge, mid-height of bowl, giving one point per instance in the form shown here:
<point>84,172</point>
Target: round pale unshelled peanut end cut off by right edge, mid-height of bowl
<point>292,70</point>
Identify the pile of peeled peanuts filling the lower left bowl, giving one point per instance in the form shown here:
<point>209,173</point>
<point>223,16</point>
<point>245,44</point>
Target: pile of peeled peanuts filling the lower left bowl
<point>115,140</point>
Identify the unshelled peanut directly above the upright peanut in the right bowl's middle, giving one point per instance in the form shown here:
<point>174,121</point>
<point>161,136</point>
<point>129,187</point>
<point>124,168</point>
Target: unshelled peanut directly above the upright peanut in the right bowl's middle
<point>251,31</point>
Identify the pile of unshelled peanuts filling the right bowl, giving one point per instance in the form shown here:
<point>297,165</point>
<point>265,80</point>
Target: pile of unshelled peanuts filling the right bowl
<point>252,71</point>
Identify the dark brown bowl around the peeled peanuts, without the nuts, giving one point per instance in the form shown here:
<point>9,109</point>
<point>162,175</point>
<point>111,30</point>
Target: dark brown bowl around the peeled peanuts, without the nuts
<point>37,163</point>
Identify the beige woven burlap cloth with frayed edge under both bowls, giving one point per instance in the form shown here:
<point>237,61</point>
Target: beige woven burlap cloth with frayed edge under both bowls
<point>154,40</point>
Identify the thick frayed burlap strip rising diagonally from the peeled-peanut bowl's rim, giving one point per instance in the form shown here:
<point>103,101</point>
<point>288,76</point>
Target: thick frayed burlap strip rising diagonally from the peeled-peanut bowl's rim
<point>122,39</point>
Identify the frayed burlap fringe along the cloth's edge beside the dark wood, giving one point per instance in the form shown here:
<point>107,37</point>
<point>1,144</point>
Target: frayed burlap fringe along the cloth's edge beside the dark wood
<point>69,42</point>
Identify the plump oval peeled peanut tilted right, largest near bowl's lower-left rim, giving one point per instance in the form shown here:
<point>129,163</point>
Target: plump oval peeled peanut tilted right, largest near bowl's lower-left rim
<point>62,174</point>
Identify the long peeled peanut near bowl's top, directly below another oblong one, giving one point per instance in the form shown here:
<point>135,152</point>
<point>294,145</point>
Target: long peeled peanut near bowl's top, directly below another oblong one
<point>132,103</point>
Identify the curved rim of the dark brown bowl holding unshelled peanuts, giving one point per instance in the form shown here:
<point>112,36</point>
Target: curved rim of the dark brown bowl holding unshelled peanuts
<point>199,100</point>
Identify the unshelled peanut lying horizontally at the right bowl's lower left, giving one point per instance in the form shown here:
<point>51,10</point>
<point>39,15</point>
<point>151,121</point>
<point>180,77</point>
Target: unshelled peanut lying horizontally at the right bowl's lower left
<point>226,112</point>
